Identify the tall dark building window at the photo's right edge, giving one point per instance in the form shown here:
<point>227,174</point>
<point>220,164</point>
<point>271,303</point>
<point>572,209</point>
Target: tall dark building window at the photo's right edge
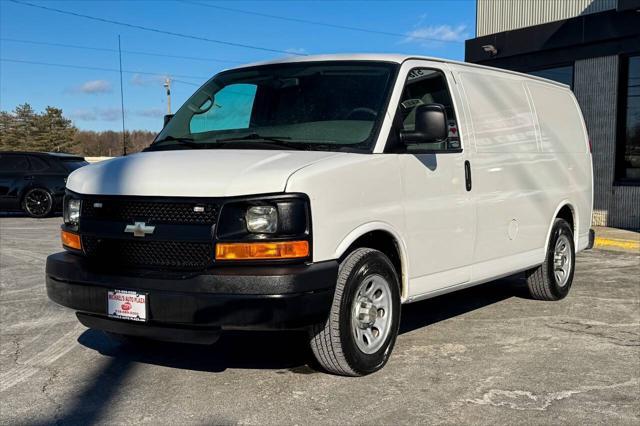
<point>628,170</point>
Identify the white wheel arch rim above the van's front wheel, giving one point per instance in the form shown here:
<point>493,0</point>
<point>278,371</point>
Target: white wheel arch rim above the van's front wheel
<point>380,236</point>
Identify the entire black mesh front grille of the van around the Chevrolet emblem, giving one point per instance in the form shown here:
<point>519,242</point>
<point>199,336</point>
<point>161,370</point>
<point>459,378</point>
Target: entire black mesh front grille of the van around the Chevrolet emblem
<point>103,220</point>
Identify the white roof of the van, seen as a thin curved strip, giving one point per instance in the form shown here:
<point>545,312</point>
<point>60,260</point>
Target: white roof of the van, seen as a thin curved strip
<point>390,57</point>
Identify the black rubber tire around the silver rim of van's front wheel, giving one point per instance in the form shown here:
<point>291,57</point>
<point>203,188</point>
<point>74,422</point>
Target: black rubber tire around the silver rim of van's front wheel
<point>333,342</point>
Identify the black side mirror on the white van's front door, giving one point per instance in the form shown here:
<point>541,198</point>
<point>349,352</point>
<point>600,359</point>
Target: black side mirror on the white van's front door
<point>431,125</point>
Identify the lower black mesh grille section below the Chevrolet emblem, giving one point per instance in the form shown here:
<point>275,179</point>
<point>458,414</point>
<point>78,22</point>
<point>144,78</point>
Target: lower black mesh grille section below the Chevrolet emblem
<point>149,254</point>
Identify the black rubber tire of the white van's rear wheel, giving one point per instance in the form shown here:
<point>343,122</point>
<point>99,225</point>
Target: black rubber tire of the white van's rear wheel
<point>542,281</point>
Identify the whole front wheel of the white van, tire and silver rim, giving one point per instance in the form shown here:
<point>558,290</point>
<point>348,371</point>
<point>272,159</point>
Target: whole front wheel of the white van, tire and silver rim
<point>359,335</point>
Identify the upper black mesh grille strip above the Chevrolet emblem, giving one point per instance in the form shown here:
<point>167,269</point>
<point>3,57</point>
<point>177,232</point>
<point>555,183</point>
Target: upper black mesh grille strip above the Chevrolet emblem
<point>178,212</point>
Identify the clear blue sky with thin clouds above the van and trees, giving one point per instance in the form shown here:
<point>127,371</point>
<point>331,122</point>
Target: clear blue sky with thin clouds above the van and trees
<point>91,97</point>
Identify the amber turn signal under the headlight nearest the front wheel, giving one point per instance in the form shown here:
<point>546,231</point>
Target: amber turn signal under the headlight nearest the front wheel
<point>257,251</point>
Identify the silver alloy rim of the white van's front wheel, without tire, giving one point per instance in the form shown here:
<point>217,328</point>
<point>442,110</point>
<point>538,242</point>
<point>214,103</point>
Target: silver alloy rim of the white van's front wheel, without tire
<point>371,314</point>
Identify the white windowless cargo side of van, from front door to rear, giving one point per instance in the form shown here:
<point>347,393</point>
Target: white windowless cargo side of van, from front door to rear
<point>530,158</point>
